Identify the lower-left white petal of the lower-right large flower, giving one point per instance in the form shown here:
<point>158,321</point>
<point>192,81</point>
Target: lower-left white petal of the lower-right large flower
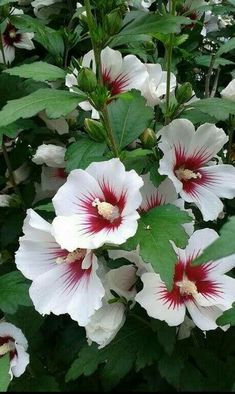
<point>150,298</point>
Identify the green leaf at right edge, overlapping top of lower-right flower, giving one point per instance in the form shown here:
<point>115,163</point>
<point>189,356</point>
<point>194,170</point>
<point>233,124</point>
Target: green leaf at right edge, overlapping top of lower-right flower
<point>224,246</point>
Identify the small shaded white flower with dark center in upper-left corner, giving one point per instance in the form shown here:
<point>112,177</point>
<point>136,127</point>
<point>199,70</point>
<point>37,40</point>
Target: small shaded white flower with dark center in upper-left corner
<point>13,38</point>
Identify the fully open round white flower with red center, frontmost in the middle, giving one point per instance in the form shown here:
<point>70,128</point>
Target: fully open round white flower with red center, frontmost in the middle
<point>97,206</point>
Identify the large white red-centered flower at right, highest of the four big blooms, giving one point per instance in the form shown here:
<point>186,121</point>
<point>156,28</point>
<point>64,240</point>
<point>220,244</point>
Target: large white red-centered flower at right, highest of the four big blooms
<point>187,161</point>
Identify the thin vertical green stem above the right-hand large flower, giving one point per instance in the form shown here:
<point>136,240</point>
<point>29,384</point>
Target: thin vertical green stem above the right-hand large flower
<point>169,49</point>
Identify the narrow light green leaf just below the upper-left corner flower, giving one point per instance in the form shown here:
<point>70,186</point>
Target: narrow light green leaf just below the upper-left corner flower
<point>39,71</point>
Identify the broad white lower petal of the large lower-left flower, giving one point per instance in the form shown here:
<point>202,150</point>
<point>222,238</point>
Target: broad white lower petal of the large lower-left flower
<point>62,291</point>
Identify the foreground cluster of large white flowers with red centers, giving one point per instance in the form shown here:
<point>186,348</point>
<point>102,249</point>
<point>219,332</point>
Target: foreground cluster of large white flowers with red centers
<point>94,208</point>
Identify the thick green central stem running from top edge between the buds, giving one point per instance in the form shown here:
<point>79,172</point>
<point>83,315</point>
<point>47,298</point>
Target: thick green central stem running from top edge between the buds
<point>97,53</point>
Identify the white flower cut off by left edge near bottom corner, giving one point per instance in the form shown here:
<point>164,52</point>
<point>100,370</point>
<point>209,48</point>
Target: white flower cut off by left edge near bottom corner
<point>14,343</point>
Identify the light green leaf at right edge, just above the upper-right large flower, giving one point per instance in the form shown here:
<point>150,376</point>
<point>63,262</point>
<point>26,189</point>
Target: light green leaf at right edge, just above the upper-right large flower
<point>215,107</point>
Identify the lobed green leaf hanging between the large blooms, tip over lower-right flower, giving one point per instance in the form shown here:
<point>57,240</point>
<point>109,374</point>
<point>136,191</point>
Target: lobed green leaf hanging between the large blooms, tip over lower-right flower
<point>155,229</point>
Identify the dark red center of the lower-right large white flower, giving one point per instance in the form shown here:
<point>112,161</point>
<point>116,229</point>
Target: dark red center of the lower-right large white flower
<point>188,281</point>
